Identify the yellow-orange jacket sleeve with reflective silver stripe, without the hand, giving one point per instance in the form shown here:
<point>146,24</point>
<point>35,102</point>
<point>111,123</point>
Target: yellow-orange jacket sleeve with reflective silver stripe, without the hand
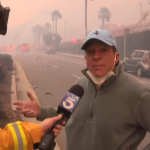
<point>20,136</point>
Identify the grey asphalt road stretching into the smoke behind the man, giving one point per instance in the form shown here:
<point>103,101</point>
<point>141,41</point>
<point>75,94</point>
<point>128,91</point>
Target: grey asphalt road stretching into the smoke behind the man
<point>55,74</point>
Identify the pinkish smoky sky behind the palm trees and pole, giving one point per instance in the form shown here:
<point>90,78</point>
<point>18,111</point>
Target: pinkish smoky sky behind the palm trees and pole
<point>122,12</point>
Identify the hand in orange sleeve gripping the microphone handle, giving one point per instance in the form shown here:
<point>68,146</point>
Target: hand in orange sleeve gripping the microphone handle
<point>47,124</point>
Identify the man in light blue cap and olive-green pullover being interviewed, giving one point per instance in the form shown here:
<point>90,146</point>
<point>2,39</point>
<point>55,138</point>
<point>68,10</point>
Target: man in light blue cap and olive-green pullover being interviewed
<point>113,113</point>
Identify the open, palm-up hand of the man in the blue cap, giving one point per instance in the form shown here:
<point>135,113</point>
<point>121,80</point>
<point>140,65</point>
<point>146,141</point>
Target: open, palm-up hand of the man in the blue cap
<point>30,108</point>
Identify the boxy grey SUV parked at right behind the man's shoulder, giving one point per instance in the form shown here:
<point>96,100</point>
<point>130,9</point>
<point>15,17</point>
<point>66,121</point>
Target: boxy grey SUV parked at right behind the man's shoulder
<point>139,62</point>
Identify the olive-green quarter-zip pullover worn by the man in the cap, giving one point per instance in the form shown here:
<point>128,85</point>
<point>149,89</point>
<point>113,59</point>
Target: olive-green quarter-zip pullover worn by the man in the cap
<point>114,118</point>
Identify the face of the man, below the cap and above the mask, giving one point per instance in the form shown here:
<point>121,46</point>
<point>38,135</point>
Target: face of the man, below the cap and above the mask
<point>100,58</point>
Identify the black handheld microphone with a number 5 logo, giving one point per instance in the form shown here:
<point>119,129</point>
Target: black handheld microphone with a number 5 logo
<point>66,108</point>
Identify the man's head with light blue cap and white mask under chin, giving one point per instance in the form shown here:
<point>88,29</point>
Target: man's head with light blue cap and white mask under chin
<point>101,55</point>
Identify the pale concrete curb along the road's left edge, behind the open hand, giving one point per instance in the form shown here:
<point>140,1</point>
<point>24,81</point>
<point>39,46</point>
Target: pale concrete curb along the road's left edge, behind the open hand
<point>22,86</point>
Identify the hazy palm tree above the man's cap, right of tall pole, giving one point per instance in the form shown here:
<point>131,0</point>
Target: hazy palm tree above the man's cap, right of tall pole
<point>104,14</point>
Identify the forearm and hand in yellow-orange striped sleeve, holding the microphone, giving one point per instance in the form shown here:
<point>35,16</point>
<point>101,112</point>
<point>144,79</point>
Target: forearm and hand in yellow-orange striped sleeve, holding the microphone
<point>23,135</point>
